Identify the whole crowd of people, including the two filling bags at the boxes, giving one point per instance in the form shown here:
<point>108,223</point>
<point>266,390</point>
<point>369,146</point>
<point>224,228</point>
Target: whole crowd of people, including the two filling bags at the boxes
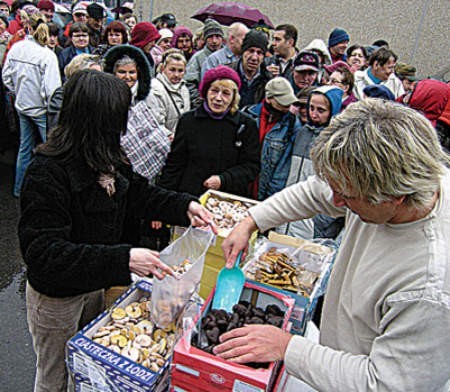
<point>122,124</point>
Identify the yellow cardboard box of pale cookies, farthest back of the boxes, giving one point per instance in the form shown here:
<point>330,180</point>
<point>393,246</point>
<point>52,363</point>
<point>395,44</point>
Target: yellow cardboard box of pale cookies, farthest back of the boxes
<point>214,259</point>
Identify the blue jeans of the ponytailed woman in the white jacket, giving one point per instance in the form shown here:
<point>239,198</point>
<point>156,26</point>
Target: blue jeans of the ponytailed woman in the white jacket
<point>33,130</point>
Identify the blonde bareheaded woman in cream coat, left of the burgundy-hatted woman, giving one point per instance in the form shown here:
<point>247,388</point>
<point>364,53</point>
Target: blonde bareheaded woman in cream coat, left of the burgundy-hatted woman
<point>170,89</point>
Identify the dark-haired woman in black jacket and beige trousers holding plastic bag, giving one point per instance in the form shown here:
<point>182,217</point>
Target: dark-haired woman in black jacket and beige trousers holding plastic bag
<point>81,207</point>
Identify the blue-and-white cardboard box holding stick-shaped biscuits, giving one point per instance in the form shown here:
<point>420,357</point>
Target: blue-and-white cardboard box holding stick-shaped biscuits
<point>304,306</point>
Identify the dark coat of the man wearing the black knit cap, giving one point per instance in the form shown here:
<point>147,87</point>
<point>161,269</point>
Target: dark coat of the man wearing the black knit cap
<point>253,92</point>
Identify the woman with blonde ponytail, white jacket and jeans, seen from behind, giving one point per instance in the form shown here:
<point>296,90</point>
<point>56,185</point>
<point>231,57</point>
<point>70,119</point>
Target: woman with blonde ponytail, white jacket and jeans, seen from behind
<point>31,73</point>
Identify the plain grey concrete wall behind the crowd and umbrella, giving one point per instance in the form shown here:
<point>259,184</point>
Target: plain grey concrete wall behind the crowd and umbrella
<point>418,31</point>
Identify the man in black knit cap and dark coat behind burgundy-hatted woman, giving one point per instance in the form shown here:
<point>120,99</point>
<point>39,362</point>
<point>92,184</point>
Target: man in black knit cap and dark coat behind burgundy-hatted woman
<point>251,68</point>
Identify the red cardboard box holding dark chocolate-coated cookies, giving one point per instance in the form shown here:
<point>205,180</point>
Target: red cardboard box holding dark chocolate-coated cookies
<point>196,370</point>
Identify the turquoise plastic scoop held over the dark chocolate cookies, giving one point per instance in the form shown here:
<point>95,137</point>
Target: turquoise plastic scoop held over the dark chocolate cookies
<point>229,285</point>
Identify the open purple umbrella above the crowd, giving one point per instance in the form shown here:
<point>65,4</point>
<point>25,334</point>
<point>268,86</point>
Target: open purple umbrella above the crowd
<point>229,12</point>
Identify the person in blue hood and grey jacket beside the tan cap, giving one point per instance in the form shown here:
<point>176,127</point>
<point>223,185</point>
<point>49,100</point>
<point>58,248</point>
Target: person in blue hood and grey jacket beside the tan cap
<point>330,99</point>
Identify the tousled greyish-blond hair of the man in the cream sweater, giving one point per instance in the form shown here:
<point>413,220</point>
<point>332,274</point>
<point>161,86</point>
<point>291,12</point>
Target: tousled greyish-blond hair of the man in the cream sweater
<point>381,150</point>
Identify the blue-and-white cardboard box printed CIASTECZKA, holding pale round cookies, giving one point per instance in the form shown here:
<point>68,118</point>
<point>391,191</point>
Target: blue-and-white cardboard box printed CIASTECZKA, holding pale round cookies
<point>95,365</point>
